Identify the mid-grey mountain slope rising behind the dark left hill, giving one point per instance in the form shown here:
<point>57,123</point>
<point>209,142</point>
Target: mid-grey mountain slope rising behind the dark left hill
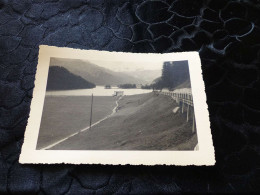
<point>95,73</point>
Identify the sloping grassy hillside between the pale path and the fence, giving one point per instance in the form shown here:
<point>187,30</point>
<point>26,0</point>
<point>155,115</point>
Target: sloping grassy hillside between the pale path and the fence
<point>142,122</point>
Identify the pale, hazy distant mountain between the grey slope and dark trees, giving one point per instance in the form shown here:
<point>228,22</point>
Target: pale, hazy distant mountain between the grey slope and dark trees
<point>147,75</point>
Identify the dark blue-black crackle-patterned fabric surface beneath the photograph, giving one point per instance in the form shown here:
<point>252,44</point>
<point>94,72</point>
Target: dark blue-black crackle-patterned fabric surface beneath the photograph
<point>227,36</point>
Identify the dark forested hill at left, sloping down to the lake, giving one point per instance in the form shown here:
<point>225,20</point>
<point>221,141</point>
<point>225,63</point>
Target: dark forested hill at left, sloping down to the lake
<point>60,78</point>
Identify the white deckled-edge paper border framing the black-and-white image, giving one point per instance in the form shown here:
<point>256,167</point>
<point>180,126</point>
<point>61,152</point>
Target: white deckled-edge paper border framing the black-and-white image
<point>204,156</point>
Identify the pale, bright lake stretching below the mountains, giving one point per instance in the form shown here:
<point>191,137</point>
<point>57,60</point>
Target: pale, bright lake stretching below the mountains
<point>97,91</point>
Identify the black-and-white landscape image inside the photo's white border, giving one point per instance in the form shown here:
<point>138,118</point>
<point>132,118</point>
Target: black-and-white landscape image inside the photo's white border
<point>94,105</point>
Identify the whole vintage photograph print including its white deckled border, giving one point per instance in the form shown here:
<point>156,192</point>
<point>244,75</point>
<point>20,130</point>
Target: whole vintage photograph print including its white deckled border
<point>98,107</point>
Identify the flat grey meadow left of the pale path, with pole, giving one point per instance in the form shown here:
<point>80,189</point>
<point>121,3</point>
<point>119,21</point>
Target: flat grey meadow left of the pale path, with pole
<point>65,115</point>
